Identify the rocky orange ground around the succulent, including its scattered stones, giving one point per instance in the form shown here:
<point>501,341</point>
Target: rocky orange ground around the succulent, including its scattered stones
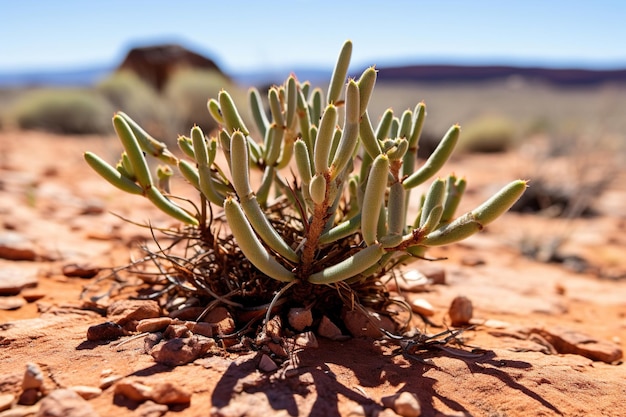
<point>549,336</point>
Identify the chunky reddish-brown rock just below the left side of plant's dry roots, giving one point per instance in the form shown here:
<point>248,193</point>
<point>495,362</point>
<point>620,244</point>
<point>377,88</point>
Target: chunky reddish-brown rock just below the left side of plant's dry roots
<point>177,352</point>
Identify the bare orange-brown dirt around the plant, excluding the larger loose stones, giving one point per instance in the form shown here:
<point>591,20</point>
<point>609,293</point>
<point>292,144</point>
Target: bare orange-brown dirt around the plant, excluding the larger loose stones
<point>49,197</point>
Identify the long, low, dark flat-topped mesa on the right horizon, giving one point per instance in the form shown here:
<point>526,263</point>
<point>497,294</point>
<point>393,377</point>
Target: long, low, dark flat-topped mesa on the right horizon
<point>454,73</point>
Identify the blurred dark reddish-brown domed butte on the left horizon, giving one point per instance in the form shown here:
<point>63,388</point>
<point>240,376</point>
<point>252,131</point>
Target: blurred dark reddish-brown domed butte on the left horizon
<point>156,64</point>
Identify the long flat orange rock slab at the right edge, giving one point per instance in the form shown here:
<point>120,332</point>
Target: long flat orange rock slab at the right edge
<point>570,341</point>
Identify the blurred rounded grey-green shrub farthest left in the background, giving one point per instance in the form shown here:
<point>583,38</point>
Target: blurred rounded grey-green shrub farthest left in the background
<point>64,111</point>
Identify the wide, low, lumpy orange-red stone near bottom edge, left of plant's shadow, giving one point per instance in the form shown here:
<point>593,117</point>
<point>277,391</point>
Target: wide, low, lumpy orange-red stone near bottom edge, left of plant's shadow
<point>161,392</point>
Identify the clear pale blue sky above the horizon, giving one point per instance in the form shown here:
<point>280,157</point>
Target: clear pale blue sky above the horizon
<point>244,35</point>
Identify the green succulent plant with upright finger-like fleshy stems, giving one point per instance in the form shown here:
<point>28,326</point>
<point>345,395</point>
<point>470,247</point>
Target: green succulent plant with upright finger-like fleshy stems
<point>344,218</point>
